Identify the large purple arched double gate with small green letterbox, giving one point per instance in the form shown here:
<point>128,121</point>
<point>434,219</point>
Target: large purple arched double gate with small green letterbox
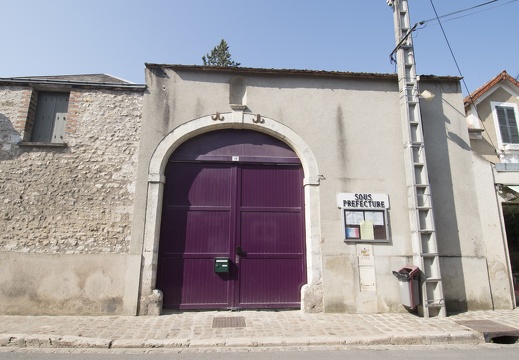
<point>235,198</point>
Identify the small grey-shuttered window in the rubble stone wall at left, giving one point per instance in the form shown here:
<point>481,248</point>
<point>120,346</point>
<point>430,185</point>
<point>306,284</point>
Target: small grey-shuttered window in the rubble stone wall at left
<point>50,117</point>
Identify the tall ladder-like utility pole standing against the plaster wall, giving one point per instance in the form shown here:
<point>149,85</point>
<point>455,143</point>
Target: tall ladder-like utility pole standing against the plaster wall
<point>424,245</point>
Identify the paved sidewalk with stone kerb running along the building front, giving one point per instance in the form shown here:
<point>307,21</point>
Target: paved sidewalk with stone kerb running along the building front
<point>243,329</point>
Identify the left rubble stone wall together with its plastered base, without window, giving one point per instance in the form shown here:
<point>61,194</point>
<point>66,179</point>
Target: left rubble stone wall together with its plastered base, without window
<point>66,212</point>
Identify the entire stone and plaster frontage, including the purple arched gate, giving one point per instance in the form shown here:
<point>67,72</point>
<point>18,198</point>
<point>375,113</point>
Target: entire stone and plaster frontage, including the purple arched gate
<point>116,210</point>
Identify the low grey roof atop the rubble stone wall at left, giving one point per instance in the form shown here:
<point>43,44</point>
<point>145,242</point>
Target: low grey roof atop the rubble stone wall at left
<point>84,80</point>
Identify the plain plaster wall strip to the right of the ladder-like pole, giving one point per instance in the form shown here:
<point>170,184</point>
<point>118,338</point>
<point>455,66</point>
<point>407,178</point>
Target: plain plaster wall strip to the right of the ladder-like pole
<point>461,244</point>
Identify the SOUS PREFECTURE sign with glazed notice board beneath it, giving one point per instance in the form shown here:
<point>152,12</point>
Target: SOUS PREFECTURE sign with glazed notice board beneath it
<point>364,216</point>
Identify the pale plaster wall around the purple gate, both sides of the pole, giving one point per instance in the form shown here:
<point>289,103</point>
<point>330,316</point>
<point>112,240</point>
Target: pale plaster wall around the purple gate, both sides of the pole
<point>352,127</point>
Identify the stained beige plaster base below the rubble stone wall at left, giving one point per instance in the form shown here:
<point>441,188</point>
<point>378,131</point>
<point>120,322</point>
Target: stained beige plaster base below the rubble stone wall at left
<point>40,284</point>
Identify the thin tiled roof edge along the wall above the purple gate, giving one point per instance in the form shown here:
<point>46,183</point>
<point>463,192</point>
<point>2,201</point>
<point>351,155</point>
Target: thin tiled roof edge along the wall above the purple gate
<point>323,73</point>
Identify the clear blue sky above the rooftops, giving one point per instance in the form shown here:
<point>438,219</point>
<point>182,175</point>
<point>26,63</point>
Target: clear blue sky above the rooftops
<point>57,37</point>
